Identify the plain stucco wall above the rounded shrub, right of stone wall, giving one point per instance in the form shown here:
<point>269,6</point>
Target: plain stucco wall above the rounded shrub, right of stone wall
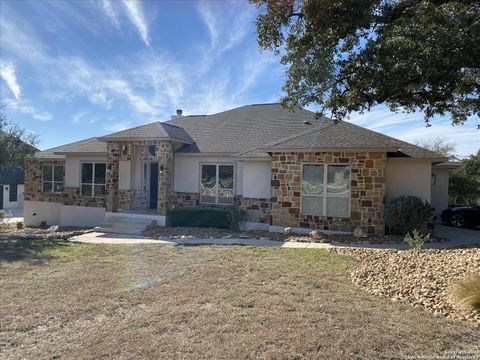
<point>407,176</point>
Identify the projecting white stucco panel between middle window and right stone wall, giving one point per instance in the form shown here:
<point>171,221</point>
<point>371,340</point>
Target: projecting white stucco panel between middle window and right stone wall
<point>256,179</point>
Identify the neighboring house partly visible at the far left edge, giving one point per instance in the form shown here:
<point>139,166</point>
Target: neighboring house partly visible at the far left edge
<point>11,189</point>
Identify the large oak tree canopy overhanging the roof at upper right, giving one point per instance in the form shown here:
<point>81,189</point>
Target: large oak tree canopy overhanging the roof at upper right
<point>350,55</point>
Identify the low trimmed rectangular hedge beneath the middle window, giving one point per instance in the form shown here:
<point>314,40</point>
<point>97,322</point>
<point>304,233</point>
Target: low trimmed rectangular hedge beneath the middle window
<point>223,218</point>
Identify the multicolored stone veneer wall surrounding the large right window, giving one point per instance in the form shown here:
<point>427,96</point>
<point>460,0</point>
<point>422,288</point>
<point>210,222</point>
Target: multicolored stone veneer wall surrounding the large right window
<point>367,186</point>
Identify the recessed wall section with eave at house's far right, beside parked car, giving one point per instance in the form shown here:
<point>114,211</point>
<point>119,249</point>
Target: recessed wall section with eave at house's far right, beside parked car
<point>440,176</point>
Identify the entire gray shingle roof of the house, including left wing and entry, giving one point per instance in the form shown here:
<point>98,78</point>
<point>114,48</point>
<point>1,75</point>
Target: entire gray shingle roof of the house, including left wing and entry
<point>252,131</point>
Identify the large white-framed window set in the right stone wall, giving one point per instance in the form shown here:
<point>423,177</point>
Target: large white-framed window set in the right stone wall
<point>326,190</point>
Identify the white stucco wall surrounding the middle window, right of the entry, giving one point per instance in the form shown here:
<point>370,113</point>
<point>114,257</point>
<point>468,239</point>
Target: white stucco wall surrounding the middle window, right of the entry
<point>187,172</point>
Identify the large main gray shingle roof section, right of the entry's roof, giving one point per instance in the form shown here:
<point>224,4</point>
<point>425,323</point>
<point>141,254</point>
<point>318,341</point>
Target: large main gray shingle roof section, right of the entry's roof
<point>252,130</point>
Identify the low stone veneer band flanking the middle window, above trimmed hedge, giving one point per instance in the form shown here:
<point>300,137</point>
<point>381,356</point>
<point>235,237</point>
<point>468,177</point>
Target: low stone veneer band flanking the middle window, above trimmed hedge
<point>258,210</point>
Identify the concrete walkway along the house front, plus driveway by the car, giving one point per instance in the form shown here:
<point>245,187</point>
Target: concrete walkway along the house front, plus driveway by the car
<point>456,238</point>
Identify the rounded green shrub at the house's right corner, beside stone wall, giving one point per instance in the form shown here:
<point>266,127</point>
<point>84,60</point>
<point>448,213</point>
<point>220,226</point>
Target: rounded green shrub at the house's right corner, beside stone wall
<point>407,213</point>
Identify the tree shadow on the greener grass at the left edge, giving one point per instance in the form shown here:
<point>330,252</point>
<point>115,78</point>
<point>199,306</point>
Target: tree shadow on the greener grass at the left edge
<point>38,251</point>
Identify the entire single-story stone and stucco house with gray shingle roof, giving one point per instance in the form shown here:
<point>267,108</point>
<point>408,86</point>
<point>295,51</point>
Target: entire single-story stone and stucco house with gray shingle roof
<point>285,168</point>
